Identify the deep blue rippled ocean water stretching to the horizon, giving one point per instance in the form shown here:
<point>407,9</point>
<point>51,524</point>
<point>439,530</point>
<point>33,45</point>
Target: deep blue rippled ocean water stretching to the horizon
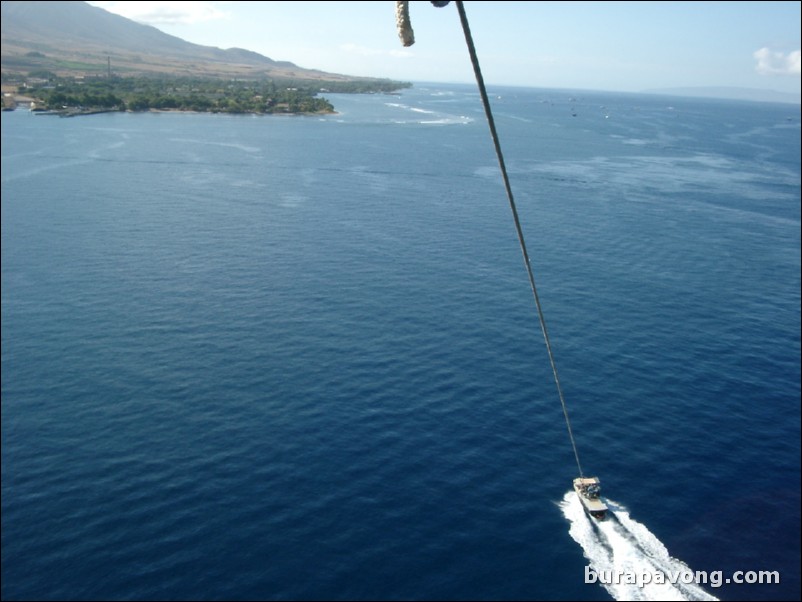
<point>298,358</point>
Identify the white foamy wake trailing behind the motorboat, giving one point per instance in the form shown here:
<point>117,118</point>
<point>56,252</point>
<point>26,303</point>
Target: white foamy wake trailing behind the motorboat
<point>623,546</point>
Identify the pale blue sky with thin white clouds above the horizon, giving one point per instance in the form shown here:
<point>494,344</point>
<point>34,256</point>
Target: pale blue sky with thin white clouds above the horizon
<point>617,46</point>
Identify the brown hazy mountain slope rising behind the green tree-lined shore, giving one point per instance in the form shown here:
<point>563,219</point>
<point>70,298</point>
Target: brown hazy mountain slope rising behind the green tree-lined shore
<point>75,38</point>
